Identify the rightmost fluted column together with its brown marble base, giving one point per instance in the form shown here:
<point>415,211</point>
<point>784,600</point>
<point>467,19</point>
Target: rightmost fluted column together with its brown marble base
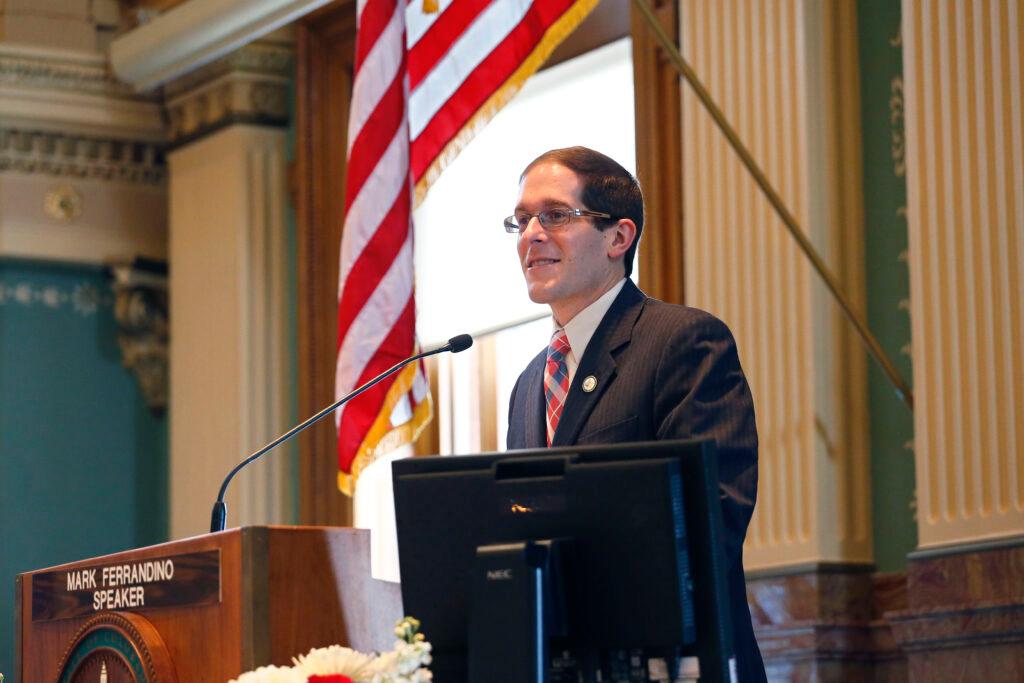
<point>964,64</point>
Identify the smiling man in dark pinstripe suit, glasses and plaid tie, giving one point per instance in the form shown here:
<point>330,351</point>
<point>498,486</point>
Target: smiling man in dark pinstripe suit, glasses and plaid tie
<point>623,367</point>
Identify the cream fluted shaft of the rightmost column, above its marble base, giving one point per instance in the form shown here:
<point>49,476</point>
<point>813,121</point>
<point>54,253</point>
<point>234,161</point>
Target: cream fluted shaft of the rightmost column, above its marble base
<point>965,125</point>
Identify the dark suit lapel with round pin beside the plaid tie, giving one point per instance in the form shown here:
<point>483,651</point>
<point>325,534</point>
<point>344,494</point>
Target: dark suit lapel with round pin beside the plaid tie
<point>600,363</point>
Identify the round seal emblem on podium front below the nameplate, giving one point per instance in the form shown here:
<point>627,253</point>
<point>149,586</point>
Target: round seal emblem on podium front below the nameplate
<point>117,648</point>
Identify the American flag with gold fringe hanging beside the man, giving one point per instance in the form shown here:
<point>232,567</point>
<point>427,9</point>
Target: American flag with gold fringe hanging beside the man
<point>426,79</point>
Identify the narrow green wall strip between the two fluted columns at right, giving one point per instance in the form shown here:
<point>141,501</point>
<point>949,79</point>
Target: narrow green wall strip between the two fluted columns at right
<point>893,503</point>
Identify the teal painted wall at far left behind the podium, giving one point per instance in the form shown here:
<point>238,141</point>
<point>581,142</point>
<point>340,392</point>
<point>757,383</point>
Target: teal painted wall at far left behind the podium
<point>83,462</point>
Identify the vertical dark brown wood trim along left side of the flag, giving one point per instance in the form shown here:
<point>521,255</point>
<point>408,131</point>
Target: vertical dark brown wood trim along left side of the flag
<point>326,53</point>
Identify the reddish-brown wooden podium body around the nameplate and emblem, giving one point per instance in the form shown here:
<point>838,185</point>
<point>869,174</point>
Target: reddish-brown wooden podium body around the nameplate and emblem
<point>284,590</point>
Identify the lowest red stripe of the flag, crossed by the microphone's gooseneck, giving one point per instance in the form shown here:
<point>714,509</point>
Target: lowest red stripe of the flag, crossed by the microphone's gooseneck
<point>357,423</point>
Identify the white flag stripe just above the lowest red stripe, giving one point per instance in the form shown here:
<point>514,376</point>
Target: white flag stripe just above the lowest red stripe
<point>374,322</point>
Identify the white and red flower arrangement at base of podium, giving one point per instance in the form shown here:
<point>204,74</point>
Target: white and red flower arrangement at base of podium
<point>407,663</point>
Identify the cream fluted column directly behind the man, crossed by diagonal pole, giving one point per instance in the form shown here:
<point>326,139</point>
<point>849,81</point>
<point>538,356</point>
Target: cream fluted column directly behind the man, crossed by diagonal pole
<point>785,73</point>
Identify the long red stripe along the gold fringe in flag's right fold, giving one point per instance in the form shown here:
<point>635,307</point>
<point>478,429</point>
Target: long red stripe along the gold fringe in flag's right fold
<point>490,75</point>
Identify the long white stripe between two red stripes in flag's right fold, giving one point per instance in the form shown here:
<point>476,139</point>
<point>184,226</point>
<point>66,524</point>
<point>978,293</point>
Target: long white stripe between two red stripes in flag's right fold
<point>474,47</point>
